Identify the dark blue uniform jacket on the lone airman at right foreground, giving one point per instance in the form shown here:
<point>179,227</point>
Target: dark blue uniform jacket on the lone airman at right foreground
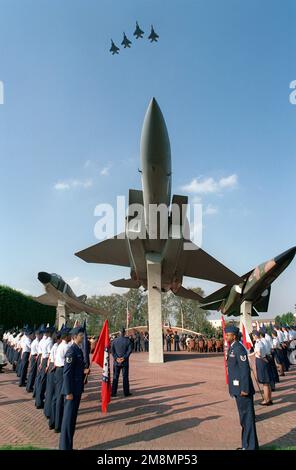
<point>239,372</point>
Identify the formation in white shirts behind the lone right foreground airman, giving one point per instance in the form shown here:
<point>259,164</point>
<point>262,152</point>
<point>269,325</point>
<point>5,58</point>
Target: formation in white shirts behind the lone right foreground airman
<point>269,351</point>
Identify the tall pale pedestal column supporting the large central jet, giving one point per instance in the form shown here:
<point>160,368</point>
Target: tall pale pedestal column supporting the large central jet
<point>154,308</point>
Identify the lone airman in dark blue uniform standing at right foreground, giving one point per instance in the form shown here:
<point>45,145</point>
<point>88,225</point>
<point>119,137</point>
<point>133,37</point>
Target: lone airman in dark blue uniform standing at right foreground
<point>241,387</point>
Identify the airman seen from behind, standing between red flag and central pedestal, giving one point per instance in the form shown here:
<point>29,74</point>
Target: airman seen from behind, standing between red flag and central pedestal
<point>121,349</point>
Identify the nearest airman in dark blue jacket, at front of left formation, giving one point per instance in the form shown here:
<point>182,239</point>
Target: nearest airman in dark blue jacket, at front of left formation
<point>73,378</point>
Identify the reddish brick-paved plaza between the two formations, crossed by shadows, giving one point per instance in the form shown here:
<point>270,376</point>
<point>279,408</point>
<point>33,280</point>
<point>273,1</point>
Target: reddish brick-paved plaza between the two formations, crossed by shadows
<point>181,404</point>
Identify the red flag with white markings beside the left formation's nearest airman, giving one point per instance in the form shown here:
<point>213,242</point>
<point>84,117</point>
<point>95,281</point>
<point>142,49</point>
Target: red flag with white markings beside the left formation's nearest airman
<point>101,357</point>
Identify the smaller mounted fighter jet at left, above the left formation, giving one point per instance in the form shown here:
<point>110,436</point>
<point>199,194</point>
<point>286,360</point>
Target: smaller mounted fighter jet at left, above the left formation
<point>57,289</point>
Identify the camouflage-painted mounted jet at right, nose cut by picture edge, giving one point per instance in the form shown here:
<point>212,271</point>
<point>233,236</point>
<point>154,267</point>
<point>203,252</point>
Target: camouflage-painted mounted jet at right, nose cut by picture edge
<point>255,288</point>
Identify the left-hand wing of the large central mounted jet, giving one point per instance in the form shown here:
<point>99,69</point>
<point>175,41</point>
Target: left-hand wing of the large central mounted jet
<point>111,251</point>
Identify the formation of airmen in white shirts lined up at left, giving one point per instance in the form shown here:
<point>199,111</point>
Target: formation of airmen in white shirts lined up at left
<point>52,366</point>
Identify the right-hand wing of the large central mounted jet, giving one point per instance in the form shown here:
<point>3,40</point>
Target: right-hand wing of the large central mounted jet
<point>197,263</point>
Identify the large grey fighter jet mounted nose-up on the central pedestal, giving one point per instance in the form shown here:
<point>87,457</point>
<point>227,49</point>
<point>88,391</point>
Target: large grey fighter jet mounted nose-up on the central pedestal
<point>143,234</point>
